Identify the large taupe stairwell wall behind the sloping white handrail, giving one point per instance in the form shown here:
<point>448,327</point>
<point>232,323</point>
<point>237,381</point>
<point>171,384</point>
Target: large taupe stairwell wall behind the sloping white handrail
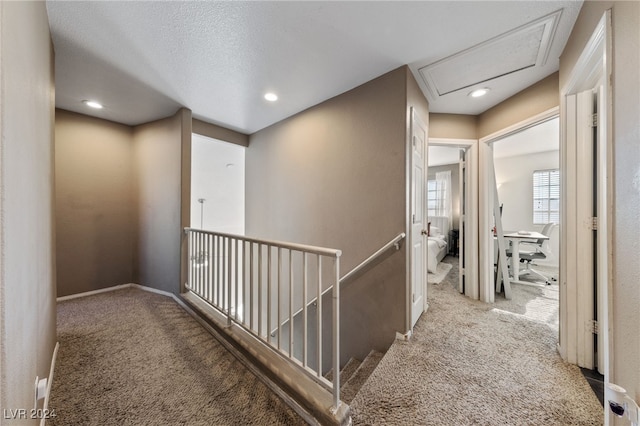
<point>334,176</point>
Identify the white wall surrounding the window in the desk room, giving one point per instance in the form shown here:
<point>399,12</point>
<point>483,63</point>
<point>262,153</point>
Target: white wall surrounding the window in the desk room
<point>514,176</point>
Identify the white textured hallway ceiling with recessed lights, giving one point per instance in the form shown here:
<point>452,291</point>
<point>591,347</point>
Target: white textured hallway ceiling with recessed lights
<point>144,60</point>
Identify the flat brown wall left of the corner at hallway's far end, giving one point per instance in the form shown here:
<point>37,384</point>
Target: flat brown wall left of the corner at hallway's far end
<point>94,203</point>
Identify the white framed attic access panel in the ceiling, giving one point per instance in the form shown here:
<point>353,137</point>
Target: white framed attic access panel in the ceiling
<point>521,48</point>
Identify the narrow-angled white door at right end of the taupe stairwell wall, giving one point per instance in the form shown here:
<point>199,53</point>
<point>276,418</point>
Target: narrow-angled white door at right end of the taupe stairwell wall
<point>418,240</point>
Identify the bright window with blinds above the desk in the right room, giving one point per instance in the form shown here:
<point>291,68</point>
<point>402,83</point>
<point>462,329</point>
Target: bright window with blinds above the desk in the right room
<point>546,196</point>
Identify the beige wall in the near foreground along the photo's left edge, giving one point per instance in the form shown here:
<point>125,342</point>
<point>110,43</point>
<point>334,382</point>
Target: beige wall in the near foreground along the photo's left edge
<point>27,277</point>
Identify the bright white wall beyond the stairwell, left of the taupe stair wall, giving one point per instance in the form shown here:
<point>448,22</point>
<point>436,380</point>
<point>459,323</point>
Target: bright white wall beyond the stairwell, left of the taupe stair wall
<point>217,175</point>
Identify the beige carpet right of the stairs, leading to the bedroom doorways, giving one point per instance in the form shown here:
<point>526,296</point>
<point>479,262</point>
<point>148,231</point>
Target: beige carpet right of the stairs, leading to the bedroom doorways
<point>470,363</point>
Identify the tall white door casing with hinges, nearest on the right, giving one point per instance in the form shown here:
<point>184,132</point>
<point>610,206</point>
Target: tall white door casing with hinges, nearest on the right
<point>590,77</point>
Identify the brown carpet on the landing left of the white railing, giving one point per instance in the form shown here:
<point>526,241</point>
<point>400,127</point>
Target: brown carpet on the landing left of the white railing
<point>131,357</point>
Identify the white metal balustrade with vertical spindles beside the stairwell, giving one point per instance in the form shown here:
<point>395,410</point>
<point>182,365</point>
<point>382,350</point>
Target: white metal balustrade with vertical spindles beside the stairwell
<point>256,283</point>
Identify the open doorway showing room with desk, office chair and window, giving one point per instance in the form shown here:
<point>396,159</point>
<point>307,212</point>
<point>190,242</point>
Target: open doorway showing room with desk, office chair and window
<point>527,185</point>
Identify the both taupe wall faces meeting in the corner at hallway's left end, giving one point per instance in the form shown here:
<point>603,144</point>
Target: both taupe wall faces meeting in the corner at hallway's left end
<point>119,194</point>
